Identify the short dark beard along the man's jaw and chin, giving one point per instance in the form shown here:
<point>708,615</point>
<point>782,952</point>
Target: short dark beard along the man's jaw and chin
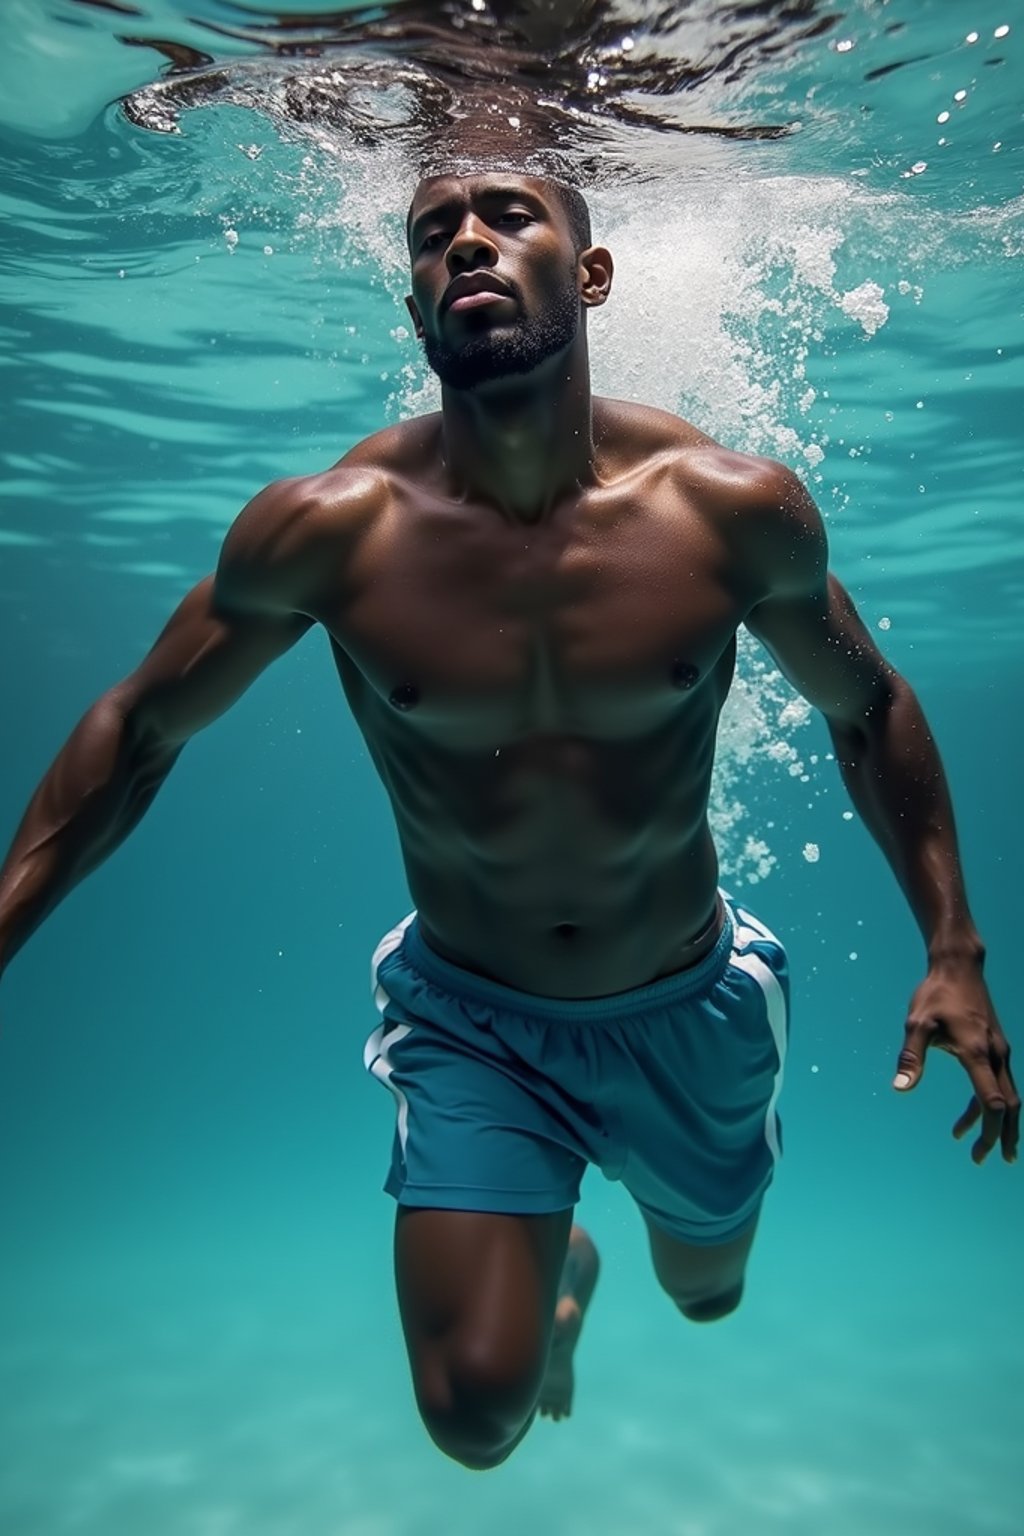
<point>503,351</point>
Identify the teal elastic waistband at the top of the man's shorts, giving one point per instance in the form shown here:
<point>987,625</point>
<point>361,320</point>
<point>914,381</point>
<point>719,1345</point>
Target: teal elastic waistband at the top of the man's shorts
<point>469,987</point>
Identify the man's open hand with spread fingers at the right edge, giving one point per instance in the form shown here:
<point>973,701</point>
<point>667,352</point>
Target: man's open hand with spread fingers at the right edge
<point>953,1010</point>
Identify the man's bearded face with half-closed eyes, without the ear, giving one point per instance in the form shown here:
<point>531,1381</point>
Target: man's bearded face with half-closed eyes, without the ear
<point>495,277</point>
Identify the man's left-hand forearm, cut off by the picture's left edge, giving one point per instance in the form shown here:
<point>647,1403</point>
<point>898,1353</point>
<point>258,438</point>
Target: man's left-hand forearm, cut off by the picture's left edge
<point>96,792</point>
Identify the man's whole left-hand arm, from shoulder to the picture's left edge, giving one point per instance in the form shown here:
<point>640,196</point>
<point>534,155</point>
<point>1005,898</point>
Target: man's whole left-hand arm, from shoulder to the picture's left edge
<point>223,635</point>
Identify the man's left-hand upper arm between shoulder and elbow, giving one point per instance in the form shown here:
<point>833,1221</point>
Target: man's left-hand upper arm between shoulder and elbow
<point>202,664</point>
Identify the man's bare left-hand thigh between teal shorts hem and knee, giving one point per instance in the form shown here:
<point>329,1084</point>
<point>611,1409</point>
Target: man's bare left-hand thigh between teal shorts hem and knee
<point>477,1296</point>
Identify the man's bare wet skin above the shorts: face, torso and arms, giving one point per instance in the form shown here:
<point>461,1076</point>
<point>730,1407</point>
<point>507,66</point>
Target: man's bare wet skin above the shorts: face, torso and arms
<point>533,600</point>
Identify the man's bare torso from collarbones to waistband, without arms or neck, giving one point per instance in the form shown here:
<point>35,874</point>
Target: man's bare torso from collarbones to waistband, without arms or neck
<point>541,704</point>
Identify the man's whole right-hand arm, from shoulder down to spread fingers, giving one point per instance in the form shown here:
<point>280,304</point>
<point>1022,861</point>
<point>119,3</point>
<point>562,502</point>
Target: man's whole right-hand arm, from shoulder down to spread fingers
<point>894,775</point>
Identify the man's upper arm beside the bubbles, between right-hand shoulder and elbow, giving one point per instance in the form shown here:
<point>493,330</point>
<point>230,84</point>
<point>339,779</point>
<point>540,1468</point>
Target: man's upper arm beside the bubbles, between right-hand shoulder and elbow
<point>824,649</point>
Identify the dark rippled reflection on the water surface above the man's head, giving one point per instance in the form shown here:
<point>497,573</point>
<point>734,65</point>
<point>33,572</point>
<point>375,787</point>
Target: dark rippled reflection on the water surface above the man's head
<point>492,76</point>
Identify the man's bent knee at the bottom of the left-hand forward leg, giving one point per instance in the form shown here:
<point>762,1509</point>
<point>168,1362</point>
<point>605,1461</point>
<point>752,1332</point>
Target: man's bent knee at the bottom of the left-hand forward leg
<point>477,1406</point>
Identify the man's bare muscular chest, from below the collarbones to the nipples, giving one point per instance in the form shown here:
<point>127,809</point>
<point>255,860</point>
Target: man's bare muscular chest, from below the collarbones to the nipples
<point>595,624</point>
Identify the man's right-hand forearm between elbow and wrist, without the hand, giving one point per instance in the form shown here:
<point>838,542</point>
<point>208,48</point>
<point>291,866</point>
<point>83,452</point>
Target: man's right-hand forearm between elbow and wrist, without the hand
<point>897,783</point>
